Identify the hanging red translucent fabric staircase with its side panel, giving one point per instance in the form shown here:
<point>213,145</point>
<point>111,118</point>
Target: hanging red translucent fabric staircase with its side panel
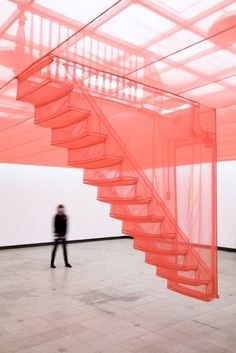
<point>152,156</point>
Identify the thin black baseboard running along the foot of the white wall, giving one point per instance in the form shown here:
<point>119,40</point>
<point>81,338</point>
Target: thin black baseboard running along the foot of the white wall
<point>5,247</point>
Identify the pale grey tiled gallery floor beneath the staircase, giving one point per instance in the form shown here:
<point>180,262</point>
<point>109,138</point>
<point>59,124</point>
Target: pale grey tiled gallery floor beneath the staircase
<point>109,302</point>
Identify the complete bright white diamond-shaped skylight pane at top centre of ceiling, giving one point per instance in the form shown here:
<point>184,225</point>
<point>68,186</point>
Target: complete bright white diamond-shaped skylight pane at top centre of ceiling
<point>136,25</point>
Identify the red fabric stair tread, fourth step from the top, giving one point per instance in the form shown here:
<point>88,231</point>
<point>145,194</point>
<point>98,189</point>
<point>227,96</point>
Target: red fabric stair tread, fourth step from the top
<point>99,162</point>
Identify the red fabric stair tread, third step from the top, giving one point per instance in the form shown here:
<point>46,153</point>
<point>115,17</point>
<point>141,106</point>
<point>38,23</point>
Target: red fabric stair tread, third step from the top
<point>85,140</point>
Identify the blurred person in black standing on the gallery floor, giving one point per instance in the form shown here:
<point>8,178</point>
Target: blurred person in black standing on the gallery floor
<point>60,229</point>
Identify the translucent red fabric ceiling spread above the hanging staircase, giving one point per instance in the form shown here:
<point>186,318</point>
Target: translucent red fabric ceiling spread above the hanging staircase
<point>184,47</point>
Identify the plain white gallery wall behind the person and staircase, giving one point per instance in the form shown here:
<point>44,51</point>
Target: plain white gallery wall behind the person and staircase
<point>29,195</point>
